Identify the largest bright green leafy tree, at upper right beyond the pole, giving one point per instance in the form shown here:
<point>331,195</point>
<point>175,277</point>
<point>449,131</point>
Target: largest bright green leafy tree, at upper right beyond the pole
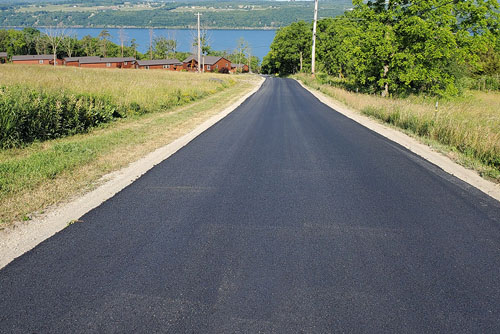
<point>414,45</point>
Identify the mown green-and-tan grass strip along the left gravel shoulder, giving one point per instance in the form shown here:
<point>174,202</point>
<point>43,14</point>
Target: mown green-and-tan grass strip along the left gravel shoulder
<point>38,176</point>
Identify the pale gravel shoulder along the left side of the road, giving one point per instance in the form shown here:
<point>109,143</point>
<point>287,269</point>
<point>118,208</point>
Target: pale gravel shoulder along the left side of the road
<point>20,239</point>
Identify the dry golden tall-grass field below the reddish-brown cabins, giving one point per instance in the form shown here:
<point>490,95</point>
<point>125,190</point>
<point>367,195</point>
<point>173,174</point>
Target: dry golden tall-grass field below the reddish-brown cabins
<point>150,89</point>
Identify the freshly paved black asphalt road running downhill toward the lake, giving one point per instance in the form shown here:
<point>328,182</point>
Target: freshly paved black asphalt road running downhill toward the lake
<point>285,217</point>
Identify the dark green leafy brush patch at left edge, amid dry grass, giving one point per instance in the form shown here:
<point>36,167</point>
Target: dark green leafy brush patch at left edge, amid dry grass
<point>28,114</point>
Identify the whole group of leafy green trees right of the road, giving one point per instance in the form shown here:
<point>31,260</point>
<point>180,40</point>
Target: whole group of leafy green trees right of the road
<point>397,46</point>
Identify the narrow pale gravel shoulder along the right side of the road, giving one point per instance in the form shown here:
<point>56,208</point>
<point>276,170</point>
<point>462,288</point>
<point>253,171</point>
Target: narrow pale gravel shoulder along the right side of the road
<point>449,166</point>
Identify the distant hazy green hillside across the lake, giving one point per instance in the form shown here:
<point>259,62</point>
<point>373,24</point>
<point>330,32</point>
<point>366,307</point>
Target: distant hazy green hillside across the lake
<point>113,13</point>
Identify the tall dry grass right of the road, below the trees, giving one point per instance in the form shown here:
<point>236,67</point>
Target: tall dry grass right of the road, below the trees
<point>467,129</point>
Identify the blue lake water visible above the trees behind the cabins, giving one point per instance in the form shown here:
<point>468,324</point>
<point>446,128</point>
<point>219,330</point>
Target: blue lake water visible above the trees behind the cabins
<point>220,40</point>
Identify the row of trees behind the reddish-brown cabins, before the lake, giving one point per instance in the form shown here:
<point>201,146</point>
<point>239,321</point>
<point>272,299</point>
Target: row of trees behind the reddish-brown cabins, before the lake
<point>31,41</point>
